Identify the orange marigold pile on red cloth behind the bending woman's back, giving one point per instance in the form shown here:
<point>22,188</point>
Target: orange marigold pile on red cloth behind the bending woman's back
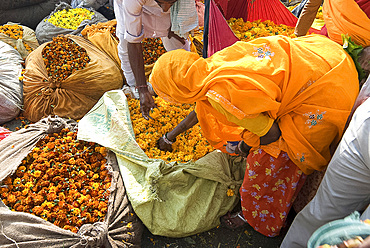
<point>247,31</point>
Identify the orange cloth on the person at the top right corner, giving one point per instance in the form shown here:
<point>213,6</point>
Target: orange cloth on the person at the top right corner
<point>346,17</point>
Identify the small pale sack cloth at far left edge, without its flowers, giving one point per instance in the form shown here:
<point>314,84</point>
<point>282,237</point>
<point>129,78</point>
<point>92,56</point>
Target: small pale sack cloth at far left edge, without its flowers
<point>29,38</point>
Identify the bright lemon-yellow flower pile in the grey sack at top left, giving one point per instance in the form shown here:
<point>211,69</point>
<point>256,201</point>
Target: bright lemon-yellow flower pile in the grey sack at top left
<point>71,18</point>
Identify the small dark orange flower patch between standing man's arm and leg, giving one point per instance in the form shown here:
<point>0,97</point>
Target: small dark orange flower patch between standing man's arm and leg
<point>152,49</point>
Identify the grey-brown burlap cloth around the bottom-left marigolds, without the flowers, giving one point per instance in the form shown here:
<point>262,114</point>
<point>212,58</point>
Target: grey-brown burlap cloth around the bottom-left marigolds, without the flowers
<point>19,229</point>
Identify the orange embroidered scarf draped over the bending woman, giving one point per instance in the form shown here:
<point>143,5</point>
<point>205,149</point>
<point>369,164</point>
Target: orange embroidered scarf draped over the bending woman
<point>308,85</point>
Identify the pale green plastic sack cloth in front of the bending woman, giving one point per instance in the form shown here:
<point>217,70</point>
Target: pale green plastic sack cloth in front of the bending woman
<point>171,199</point>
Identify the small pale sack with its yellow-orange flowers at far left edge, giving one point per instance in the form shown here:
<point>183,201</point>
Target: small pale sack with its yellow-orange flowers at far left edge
<point>22,38</point>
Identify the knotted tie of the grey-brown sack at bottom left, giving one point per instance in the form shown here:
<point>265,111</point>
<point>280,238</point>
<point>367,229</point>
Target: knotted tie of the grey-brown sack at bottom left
<point>93,235</point>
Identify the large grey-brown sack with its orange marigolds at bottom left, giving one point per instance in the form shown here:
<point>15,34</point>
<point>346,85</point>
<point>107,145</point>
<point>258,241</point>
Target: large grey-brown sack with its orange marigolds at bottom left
<point>57,191</point>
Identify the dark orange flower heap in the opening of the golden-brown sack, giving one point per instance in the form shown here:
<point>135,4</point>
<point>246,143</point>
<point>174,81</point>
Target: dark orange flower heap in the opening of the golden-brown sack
<point>62,57</point>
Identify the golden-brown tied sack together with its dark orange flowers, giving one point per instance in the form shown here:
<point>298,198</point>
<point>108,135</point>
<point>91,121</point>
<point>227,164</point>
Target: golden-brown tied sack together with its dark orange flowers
<point>66,77</point>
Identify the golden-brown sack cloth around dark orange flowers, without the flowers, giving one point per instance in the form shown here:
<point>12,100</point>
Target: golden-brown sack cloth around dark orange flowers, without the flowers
<point>76,95</point>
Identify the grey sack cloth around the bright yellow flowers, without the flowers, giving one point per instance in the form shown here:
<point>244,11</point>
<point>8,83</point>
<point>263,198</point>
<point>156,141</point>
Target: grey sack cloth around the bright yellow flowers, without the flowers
<point>45,31</point>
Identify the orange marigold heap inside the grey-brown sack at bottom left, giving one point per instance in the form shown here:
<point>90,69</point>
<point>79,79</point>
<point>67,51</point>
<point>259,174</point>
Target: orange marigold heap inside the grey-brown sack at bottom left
<point>63,181</point>
